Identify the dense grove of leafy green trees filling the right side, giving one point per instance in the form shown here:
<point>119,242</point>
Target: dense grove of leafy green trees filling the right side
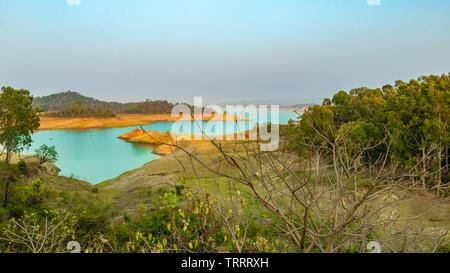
<point>410,117</point>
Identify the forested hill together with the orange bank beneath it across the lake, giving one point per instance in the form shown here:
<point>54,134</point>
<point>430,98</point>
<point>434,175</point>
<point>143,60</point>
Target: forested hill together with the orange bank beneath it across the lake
<point>73,111</point>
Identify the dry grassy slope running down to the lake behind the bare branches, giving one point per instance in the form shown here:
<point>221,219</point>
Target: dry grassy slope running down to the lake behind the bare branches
<point>143,186</point>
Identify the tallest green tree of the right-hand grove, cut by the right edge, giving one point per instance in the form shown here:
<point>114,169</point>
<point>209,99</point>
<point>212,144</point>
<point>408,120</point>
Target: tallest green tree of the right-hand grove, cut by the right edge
<point>418,117</point>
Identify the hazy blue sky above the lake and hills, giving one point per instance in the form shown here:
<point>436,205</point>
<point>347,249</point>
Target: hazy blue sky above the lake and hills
<point>224,50</point>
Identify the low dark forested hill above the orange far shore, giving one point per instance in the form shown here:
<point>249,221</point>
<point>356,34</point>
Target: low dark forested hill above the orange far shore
<point>73,104</point>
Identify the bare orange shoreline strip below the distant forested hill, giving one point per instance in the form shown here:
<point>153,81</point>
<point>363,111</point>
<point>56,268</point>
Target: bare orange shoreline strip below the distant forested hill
<point>120,121</point>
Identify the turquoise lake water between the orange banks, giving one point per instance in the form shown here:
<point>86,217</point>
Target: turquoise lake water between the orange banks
<point>98,155</point>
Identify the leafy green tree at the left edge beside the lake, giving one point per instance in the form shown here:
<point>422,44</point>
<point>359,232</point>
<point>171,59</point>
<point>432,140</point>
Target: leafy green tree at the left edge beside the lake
<point>18,120</point>
